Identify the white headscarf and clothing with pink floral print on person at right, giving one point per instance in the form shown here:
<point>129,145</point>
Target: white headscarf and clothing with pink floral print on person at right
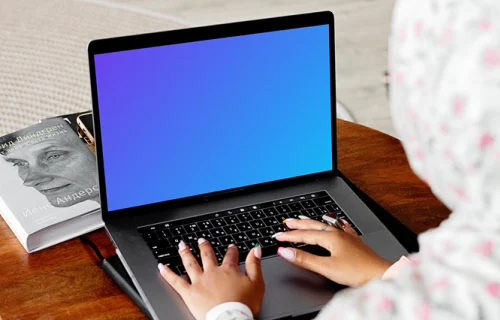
<point>445,99</point>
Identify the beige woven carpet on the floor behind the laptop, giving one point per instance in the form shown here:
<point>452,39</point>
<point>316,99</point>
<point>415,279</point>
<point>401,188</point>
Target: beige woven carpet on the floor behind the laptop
<point>43,56</point>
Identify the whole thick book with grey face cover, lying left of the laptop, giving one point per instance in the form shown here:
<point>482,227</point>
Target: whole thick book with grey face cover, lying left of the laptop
<point>49,188</point>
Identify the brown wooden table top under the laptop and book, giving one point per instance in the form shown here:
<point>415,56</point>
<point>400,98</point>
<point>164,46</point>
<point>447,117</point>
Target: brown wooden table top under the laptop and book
<point>66,281</point>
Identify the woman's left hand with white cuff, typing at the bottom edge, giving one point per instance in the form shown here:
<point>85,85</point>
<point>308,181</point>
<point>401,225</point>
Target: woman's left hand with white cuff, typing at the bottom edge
<point>217,284</point>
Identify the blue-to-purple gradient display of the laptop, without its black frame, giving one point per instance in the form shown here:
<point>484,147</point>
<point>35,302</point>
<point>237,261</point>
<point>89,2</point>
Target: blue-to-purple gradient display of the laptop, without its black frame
<point>200,117</point>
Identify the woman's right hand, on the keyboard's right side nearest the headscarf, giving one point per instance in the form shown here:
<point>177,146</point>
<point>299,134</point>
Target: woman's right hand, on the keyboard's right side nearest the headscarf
<point>351,263</point>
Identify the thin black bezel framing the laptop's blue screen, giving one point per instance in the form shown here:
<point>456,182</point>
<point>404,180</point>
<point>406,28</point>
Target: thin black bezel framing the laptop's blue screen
<point>198,34</point>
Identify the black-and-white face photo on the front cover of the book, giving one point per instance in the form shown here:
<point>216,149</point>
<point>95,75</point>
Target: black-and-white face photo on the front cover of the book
<point>52,159</point>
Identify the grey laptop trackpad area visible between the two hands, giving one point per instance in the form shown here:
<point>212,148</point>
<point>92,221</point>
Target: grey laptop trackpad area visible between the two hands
<point>293,291</point>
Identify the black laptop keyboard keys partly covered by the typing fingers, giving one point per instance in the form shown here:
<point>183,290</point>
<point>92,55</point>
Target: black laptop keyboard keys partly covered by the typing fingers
<point>244,227</point>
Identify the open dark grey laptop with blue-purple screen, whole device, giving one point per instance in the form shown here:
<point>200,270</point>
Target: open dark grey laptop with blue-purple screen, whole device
<point>222,132</point>
